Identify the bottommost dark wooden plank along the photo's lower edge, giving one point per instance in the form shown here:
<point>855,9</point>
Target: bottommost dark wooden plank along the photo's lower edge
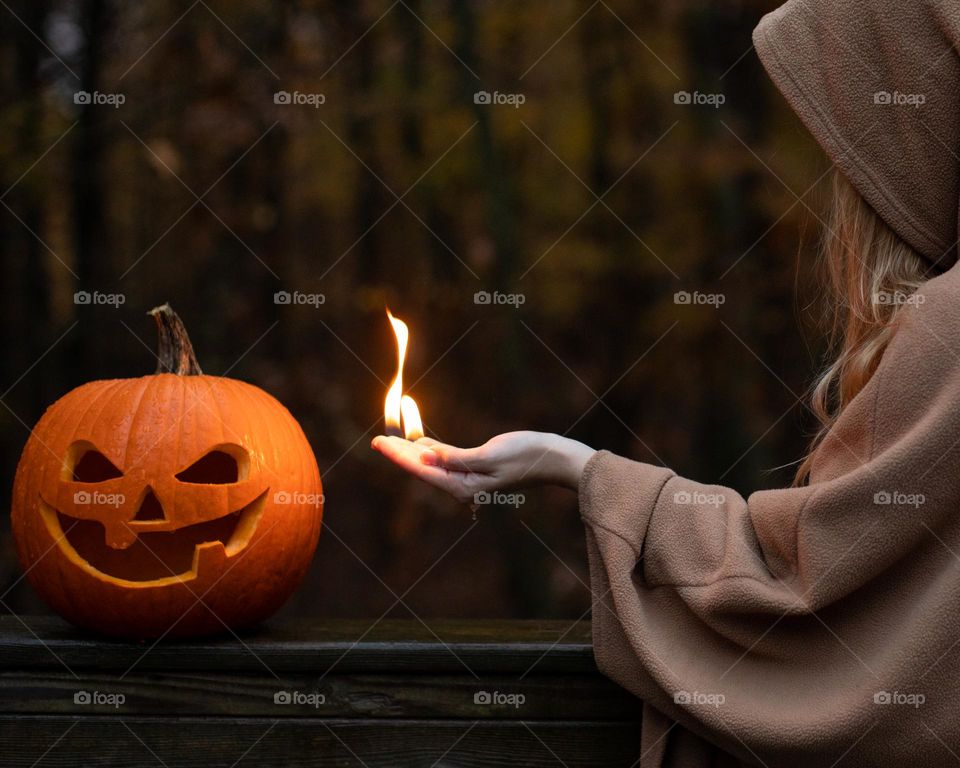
<point>63,742</point>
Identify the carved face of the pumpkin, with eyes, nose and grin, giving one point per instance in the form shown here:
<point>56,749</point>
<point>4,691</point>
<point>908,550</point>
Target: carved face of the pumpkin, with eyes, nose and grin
<point>119,526</point>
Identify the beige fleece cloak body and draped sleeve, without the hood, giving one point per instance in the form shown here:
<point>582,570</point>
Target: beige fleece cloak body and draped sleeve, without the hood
<point>802,625</point>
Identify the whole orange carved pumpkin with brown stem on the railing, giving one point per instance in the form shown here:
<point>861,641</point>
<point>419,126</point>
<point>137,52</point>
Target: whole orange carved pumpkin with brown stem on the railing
<point>172,505</point>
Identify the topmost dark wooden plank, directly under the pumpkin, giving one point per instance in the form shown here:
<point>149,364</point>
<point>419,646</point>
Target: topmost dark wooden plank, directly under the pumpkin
<point>445,646</point>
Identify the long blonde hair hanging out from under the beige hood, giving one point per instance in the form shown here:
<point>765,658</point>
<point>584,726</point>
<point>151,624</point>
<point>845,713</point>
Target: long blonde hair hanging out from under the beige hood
<point>869,272</point>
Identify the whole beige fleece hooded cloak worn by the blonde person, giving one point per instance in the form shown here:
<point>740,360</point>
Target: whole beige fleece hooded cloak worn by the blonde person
<point>817,625</point>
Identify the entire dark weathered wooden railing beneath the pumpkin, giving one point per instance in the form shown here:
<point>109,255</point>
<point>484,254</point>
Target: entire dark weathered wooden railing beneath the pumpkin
<point>317,693</point>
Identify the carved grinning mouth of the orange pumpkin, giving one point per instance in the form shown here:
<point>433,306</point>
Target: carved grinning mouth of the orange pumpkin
<point>154,556</point>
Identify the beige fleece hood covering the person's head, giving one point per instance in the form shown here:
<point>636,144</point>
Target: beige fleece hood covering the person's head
<point>877,83</point>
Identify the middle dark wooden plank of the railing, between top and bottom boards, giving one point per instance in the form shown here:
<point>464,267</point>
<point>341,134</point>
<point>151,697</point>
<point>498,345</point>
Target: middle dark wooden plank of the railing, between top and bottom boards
<point>534,697</point>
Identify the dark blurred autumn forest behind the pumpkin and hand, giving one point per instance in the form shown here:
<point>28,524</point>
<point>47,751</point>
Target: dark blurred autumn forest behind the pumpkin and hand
<point>596,200</point>
